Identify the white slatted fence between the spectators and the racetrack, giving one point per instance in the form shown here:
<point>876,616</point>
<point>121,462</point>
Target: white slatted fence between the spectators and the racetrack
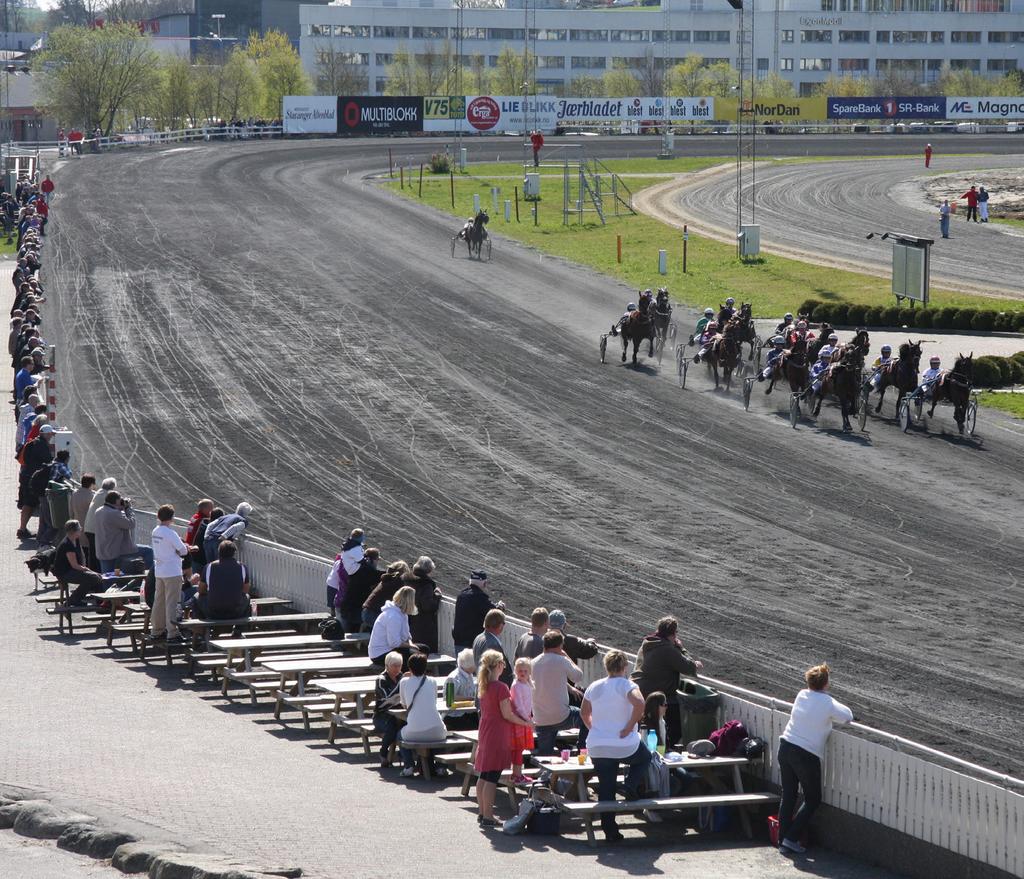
<point>976,816</point>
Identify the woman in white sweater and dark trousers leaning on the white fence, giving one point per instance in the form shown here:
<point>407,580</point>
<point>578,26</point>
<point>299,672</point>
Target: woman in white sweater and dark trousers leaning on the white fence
<point>801,750</point>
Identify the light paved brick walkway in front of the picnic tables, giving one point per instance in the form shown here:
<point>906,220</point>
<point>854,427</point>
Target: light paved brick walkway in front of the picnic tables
<point>121,740</point>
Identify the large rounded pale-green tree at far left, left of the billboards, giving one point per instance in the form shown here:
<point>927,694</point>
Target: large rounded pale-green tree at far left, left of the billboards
<point>88,75</point>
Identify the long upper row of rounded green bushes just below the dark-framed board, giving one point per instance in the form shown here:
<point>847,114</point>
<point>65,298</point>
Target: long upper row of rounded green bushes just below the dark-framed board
<point>841,314</point>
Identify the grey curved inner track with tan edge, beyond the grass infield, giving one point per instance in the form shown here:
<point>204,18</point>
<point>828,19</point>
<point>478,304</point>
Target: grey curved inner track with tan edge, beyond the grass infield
<point>825,211</point>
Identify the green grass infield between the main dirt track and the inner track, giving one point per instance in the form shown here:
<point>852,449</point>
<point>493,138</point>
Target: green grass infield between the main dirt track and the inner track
<point>773,284</point>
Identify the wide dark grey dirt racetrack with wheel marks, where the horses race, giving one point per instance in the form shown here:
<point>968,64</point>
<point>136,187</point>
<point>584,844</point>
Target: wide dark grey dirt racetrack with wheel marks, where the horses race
<point>259,322</point>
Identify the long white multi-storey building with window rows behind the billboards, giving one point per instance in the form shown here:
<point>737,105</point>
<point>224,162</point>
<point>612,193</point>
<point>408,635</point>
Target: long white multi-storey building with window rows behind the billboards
<point>803,40</point>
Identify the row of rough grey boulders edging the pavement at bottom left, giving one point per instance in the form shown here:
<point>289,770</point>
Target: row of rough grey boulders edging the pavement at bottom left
<point>39,819</point>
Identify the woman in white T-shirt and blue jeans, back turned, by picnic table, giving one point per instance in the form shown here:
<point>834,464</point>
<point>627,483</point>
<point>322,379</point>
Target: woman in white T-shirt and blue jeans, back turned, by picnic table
<point>612,708</point>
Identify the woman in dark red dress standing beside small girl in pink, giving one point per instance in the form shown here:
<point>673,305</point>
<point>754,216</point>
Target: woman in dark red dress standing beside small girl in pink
<point>494,750</point>
